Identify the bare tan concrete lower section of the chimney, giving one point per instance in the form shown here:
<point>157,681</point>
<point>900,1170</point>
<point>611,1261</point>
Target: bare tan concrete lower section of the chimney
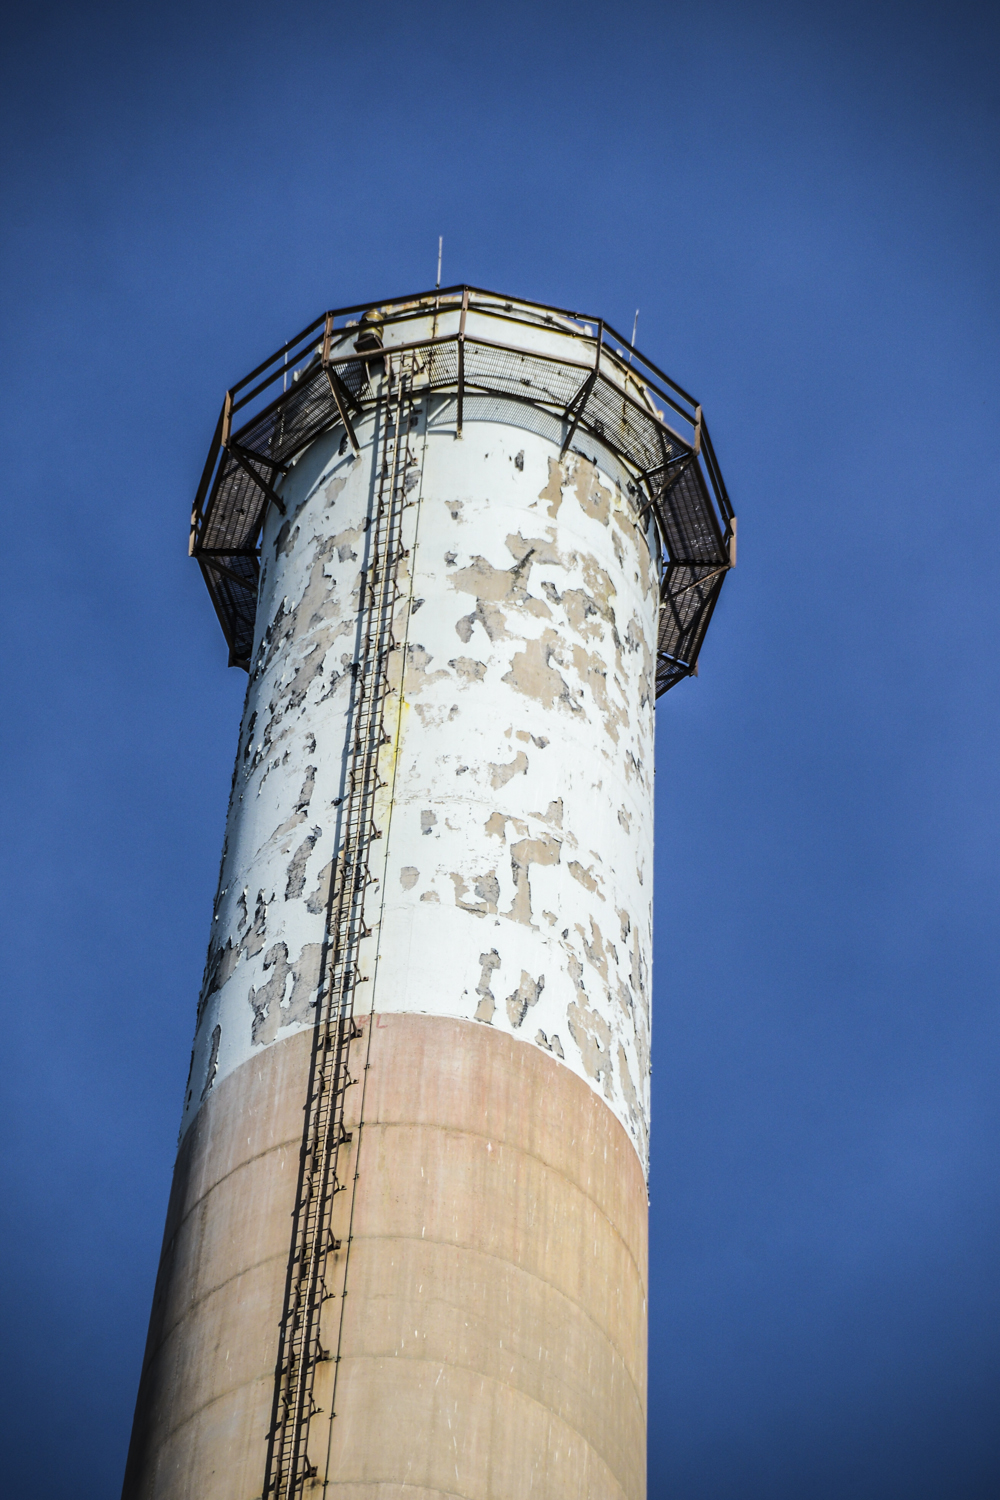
<point>494,1339</point>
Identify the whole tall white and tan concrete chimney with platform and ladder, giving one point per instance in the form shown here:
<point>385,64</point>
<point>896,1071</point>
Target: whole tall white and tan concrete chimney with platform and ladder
<point>406,1252</point>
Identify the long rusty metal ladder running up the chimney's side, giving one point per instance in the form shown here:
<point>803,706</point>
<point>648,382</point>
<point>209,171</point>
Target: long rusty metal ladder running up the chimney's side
<point>317,1259</point>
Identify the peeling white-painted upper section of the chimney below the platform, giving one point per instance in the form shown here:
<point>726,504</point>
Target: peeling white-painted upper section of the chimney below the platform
<point>513,883</point>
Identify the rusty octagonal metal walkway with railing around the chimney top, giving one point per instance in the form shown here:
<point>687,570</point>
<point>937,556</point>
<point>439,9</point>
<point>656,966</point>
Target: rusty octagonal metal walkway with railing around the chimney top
<point>473,343</point>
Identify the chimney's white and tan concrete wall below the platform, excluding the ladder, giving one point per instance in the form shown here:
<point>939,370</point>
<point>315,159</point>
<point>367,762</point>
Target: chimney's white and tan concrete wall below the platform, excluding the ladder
<point>494,1339</point>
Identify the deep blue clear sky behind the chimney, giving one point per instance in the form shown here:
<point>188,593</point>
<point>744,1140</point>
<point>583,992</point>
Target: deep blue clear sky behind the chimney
<point>803,203</point>
